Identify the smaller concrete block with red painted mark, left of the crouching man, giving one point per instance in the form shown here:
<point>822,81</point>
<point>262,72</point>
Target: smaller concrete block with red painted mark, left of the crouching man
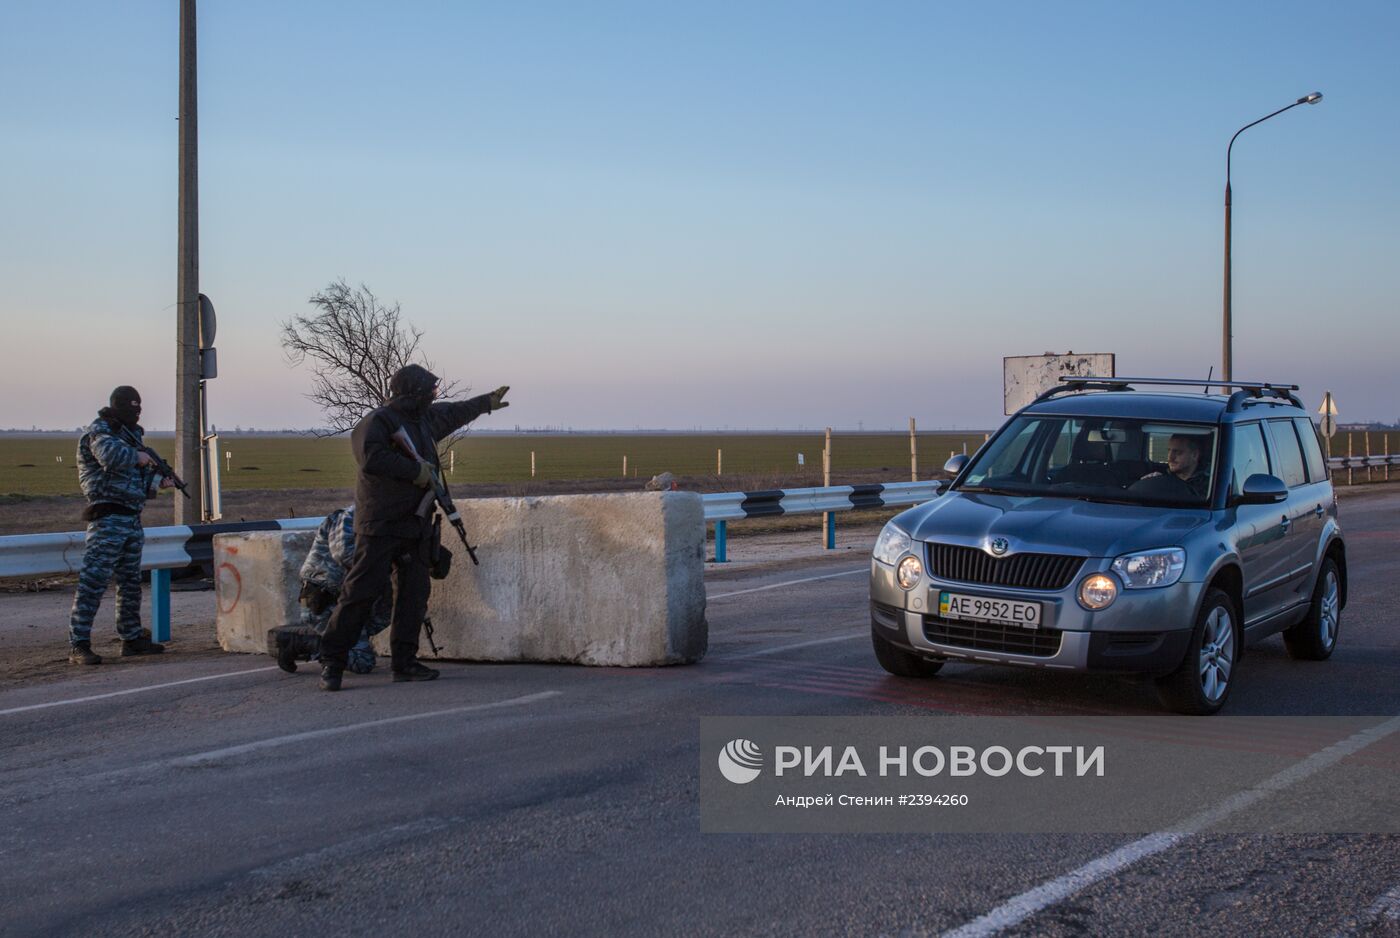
<point>257,584</point>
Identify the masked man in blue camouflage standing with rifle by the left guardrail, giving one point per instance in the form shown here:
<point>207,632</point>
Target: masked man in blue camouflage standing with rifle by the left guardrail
<point>117,479</point>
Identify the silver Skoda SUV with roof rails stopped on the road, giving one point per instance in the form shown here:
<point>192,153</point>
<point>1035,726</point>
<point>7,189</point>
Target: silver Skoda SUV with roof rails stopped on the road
<point>1104,528</point>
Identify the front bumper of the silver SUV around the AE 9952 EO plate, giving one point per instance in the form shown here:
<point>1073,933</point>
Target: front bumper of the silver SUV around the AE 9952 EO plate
<point>1143,632</point>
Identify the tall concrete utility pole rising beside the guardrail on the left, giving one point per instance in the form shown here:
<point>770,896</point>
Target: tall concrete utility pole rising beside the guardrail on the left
<point>187,276</point>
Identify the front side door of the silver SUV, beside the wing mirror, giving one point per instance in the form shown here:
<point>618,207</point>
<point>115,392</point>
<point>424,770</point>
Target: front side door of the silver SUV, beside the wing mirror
<point>1259,531</point>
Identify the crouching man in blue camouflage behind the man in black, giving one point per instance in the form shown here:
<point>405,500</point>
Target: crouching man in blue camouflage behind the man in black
<point>323,575</point>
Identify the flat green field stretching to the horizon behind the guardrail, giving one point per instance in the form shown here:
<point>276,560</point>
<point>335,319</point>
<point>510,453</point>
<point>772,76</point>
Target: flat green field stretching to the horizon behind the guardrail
<point>30,465</point>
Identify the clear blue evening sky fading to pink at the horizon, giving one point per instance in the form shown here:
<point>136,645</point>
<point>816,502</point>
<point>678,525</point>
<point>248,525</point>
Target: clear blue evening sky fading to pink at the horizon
<point>724,215</point>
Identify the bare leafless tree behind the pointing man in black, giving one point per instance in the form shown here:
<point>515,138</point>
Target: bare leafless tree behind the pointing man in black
<point>355,344</point>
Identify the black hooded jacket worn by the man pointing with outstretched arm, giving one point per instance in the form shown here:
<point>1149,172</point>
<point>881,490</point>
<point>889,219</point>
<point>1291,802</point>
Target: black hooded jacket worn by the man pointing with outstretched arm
<point>386,499</point>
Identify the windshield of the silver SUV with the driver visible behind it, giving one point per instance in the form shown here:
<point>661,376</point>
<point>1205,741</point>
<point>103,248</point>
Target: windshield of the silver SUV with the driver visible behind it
<point>1111,460</point>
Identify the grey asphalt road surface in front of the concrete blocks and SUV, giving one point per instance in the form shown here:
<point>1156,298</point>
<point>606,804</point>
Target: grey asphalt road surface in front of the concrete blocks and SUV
<point>510,800</point>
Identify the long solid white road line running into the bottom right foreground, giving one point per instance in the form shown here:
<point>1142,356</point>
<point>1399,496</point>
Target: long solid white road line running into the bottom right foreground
<point>1048,894</point>
